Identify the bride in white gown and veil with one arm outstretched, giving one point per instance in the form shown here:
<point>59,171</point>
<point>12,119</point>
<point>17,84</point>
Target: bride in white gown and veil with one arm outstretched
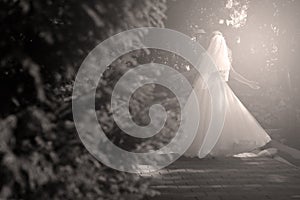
<point>241,132</point>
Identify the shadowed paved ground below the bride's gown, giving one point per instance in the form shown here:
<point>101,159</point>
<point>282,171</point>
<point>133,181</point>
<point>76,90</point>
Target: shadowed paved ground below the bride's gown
<point>227,178</point>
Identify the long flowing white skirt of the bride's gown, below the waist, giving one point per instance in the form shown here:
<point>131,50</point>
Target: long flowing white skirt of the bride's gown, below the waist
<point>241,132</point>
